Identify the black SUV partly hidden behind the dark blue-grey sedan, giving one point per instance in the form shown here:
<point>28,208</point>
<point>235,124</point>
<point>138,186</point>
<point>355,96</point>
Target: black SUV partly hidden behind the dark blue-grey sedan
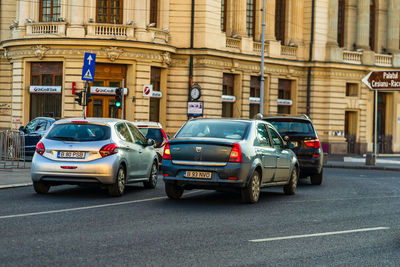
<point>304,143</point>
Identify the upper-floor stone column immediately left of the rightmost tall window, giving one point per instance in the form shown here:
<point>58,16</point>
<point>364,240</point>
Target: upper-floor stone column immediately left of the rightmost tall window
<point>363,10</point>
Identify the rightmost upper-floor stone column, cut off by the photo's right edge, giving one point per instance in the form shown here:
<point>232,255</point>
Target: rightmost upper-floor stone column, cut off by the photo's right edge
<point>393,27</point>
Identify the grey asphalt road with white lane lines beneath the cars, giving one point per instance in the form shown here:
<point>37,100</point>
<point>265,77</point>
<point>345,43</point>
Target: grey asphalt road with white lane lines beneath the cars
<point>352,219</point>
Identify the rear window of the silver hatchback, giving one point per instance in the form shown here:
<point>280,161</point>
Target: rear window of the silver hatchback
<point>79,132</point>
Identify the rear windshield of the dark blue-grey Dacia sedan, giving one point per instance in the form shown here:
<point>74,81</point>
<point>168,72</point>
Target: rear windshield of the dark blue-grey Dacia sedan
<point>216,129</point>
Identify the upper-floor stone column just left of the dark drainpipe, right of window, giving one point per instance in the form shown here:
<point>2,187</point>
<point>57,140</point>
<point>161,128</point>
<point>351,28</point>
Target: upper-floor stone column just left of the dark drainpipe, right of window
<point>297,7</point>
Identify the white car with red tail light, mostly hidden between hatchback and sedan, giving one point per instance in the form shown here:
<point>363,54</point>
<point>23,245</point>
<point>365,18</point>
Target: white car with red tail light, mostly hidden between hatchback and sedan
<point>154,130</point>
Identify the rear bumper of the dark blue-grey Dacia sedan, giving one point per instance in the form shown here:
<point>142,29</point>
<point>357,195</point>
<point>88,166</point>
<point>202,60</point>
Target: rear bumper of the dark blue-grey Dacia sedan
<point>222,176</point>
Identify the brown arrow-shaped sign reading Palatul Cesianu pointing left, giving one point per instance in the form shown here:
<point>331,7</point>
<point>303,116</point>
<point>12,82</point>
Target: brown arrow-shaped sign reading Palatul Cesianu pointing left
<point>383,80</point>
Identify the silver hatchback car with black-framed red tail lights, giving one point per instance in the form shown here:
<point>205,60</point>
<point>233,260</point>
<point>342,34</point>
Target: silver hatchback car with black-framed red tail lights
<point>108,152</point>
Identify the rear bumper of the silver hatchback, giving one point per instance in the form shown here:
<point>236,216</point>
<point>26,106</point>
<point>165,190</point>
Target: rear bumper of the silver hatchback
<point>97,171</point>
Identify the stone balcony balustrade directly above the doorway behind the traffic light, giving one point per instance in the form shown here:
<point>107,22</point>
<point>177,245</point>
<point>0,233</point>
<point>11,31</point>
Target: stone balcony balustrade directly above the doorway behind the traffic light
<point>110,31</point>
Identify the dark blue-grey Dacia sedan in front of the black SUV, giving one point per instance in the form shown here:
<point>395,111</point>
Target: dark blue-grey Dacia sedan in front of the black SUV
<point>223,154</point>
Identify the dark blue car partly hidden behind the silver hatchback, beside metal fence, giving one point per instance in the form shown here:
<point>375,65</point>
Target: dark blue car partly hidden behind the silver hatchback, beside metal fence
<point>34,131</point>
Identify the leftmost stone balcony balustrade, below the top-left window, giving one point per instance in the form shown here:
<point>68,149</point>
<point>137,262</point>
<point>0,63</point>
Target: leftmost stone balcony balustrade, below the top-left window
<point>46,29</point>
